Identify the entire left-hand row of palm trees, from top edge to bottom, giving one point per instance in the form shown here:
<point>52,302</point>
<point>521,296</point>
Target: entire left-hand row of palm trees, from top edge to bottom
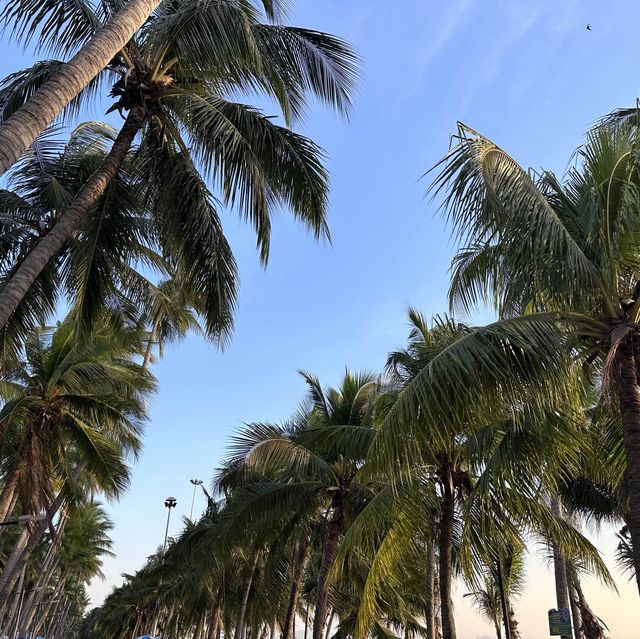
<point>123,228</point>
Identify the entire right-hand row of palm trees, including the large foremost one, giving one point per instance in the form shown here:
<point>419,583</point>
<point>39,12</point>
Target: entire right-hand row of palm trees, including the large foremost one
<point>357,514</point>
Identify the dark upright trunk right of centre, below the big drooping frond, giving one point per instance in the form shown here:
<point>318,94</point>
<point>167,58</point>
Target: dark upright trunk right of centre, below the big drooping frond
<point>447,514</point>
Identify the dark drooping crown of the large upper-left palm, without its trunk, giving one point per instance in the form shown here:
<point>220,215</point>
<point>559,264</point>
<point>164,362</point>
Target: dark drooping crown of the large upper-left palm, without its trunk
<point>176,79</point>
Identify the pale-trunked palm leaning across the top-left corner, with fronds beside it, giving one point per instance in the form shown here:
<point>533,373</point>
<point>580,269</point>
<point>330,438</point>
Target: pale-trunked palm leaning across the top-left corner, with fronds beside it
<point>101,32</point>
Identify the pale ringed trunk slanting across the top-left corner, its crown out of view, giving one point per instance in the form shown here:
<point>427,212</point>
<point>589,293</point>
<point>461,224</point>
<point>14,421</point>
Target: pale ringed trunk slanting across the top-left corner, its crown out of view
<point>23,127</point>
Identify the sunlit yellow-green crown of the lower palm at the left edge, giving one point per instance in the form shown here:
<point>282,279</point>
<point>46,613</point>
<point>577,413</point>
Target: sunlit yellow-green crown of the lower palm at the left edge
<point>71,404</point>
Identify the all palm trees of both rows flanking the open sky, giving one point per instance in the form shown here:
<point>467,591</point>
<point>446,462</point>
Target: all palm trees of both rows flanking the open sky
<point>357,514</point>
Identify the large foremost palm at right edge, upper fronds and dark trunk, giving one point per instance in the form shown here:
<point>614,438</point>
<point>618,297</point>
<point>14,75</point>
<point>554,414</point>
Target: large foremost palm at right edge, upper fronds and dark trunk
<point>563,250</point>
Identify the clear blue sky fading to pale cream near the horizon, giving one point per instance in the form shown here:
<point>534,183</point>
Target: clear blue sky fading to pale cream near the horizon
<point>526,73</point>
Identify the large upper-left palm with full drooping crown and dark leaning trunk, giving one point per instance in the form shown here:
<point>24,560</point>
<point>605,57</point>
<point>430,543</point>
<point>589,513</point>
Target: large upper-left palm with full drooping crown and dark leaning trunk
<point>171,81</point>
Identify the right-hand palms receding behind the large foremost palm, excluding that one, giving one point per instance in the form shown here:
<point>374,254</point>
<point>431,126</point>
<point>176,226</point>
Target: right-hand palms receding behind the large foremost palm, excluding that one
<point>320,523</point>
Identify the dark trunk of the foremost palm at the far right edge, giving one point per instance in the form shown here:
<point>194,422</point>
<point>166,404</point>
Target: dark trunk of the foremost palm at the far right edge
<point>629,399</point>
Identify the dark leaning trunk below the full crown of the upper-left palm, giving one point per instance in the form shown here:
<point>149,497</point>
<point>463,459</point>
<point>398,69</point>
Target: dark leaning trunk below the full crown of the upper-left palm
<point>50,245</point>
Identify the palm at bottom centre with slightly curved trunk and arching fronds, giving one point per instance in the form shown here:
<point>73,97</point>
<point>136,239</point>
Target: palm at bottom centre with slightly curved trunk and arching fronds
<point>315,463</point>
